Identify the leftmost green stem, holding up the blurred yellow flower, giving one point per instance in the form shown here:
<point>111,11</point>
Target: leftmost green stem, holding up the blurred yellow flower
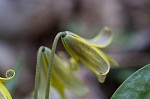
<point>37,75</point>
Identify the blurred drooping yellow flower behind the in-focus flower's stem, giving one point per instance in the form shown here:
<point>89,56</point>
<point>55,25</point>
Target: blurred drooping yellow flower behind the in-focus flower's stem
<point>62,75</point>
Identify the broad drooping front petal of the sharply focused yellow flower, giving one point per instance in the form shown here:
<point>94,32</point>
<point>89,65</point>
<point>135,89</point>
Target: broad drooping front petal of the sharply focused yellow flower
<point>89,55</point>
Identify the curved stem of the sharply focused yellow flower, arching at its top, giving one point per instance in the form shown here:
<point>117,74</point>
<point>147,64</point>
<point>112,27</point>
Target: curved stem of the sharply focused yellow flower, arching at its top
<point>50,67</point>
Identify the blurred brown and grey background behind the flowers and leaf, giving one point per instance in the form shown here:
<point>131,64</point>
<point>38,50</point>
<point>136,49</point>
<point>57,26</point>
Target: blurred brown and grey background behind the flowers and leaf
<point>25,25</point>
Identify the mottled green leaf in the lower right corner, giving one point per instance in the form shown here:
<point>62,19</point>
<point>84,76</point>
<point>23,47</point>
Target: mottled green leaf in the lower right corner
<point>137,86</point>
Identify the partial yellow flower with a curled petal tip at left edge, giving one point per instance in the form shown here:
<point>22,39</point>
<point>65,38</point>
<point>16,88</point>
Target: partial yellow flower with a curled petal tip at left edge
<point>3,90</point>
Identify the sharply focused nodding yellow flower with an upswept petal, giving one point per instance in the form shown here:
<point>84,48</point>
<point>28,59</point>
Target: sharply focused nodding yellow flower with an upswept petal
<point>87,51</point>
